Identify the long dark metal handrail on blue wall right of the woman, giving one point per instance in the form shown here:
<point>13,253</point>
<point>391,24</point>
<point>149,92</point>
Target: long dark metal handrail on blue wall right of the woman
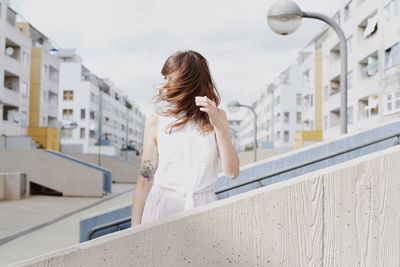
<point>303,164</point>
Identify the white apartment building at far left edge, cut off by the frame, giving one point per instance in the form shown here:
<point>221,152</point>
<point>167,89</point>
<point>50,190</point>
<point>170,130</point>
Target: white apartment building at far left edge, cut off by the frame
<point>15,51</point>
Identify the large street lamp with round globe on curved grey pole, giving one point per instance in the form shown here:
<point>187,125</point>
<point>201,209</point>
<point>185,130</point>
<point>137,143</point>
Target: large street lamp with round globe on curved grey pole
<point>284,17</point>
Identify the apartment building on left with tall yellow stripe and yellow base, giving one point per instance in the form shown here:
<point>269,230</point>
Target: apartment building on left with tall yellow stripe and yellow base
<point>44,78</point>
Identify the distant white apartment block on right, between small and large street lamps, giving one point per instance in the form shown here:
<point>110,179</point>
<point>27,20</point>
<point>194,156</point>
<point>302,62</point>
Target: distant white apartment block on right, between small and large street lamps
<point>278,109</point>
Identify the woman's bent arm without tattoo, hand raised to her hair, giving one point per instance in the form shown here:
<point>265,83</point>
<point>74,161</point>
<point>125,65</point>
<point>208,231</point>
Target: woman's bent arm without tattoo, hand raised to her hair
<point>229,159</point>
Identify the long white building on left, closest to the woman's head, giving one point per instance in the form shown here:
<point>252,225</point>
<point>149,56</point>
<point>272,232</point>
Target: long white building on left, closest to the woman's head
<point>82,94</point>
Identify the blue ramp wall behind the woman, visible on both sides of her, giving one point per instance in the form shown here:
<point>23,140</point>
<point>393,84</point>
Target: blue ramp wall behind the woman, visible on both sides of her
<point>369,141</point>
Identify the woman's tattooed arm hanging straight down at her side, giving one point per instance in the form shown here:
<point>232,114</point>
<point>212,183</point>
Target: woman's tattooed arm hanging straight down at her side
<point>148,167</point>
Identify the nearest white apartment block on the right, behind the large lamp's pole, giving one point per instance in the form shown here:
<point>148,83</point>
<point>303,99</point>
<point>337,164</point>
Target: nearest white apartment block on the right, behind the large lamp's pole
<point>372,29</point>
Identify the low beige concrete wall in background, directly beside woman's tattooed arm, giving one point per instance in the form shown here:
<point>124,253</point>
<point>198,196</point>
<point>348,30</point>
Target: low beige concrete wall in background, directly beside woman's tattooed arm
<point>122,171</point>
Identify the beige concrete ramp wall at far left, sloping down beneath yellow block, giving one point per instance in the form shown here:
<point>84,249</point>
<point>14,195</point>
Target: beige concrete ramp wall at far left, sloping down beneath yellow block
<point>57,173</point>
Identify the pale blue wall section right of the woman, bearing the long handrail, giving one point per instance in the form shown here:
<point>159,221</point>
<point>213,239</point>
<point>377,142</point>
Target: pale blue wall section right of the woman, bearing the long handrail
<point>324,154</point>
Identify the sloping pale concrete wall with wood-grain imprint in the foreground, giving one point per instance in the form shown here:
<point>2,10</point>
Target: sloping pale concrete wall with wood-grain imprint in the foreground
<point>346,215</point>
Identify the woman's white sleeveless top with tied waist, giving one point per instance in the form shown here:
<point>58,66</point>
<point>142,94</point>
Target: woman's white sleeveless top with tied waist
<point>187,159</point>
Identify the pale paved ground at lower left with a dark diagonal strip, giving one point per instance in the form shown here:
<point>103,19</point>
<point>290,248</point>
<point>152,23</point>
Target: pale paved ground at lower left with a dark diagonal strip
<point>42,224</point>
